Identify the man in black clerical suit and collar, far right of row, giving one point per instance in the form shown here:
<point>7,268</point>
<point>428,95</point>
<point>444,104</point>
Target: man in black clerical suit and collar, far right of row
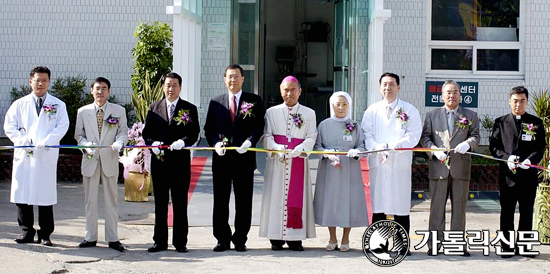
<point>519,138</point>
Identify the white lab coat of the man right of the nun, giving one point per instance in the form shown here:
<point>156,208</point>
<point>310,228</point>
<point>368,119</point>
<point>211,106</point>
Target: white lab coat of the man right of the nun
<point>391,180</point>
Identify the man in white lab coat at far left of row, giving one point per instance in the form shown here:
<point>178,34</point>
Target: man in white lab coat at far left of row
<point>37,120</point>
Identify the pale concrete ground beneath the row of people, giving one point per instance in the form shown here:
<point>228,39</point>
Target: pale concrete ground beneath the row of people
<point>136,230</point>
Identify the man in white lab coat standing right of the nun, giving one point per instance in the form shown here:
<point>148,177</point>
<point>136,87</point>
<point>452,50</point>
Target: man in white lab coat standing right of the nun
<point>391,124</point>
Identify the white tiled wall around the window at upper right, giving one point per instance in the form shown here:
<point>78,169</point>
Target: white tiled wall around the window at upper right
<point>405,54</point>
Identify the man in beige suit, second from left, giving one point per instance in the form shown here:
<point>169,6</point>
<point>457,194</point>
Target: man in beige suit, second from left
<point>101,123</point>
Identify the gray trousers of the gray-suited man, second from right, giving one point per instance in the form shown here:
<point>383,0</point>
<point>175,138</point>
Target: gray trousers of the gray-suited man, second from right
<point>440,190</point>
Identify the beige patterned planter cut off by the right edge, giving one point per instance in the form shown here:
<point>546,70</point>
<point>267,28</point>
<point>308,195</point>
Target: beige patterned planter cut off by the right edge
<point>541,220</point>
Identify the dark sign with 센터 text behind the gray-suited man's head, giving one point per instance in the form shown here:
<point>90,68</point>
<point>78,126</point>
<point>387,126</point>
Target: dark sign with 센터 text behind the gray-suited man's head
<point>468,94</point>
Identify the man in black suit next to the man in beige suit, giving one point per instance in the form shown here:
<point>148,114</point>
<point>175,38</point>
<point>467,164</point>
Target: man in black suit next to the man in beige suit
<point>171,121</point>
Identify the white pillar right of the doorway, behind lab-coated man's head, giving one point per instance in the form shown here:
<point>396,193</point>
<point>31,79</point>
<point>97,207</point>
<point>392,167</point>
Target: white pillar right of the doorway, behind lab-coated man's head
<point>376,49</point>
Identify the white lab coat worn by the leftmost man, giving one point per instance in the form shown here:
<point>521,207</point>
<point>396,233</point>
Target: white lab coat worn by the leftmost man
<point>34,178</point>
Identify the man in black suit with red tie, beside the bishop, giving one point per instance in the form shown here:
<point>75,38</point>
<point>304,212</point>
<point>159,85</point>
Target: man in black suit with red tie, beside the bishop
<point>235,118</point>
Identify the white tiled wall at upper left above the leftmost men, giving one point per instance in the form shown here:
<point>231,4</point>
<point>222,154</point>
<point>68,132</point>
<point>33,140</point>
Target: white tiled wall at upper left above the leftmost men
<point>91,38</point>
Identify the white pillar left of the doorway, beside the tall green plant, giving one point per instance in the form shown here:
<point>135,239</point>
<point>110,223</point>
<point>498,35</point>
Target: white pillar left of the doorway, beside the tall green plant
<point>187,46</point>
